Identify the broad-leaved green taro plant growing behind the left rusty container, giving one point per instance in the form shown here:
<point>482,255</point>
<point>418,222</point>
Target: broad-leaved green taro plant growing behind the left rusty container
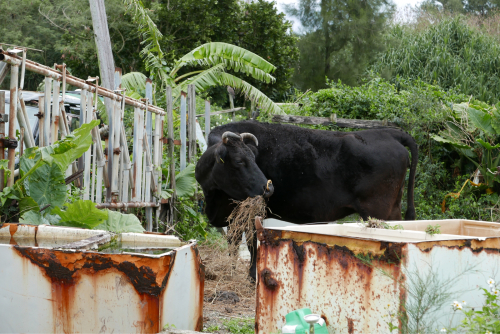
<point>40,195</point>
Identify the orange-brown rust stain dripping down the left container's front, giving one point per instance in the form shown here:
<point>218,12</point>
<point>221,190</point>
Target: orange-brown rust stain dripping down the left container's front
<point>149,276</point>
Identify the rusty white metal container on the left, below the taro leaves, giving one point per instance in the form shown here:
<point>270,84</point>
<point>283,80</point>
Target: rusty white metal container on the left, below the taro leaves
<point>65,280</point>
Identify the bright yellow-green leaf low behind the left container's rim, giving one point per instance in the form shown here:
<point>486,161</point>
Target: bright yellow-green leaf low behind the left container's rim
<point>81,214</point>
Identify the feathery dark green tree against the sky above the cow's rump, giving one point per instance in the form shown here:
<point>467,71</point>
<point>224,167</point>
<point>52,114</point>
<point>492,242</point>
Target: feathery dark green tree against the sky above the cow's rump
<point>340,39</point>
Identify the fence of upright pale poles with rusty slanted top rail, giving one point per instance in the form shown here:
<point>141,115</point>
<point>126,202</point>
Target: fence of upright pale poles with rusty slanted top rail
<point>126,183</point>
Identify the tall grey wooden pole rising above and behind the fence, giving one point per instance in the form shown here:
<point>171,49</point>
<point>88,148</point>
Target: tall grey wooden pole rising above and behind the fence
<point>106,70</point>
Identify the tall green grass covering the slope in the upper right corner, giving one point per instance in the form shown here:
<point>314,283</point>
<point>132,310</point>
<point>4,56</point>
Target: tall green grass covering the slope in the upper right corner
<point>452,51</point>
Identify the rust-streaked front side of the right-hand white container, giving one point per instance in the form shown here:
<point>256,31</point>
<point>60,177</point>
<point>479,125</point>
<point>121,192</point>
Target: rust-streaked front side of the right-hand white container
<point>304,266</point>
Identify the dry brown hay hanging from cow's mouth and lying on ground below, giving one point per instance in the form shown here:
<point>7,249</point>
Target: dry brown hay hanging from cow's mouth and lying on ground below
<point>224,270</point>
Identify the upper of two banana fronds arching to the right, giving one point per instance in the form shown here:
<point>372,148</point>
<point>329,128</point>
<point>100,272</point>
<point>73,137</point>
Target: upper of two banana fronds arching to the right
<point>232,56</point>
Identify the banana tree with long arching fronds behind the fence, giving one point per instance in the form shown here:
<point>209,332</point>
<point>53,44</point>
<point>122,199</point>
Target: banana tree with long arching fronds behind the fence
<point>216,58</point>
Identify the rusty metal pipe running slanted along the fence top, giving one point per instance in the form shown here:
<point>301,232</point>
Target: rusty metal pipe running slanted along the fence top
<point>74,81</point>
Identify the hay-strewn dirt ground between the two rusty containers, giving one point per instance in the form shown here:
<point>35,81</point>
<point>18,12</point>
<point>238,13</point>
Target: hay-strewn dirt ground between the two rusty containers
<point>229,294</point>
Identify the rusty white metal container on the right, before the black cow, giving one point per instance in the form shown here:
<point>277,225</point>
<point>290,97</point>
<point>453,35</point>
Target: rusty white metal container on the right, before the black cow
<point>357,277</point>
